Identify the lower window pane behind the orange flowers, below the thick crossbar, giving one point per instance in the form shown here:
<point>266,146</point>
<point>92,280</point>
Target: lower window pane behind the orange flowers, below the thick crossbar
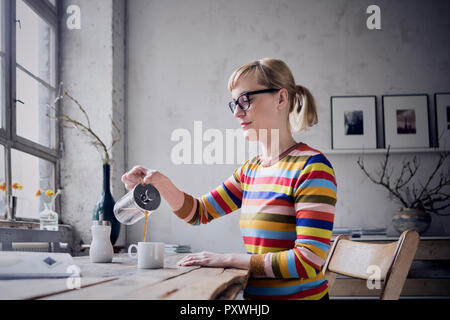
<point>32,173</point>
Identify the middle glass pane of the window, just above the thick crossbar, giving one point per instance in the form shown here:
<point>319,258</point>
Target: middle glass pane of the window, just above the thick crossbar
<point>32,122</point>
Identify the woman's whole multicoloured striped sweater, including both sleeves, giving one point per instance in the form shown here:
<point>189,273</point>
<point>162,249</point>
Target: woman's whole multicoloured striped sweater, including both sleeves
<point>287,214</point>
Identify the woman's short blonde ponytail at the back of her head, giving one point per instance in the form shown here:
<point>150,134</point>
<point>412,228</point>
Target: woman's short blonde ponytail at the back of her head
<point>303,111</point>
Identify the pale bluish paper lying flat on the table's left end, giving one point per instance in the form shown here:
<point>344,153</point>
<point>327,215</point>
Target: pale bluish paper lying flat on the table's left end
<point>29,265</point>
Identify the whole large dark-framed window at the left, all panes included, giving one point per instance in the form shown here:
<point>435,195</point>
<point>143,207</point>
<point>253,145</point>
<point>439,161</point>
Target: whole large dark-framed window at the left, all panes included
<point>29,135</point>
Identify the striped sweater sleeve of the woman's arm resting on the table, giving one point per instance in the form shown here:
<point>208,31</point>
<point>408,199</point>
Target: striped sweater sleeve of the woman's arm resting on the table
<point>315,198</point>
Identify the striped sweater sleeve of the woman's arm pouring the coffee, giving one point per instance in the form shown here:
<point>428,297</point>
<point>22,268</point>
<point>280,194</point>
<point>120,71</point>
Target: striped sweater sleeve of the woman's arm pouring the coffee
<point>221,201</point>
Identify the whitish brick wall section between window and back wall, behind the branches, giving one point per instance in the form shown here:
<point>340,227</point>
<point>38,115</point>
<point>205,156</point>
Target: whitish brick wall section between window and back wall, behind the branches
<point>93,70</point>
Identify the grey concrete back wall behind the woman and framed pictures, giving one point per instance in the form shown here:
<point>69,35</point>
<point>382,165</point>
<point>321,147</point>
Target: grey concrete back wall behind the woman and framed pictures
<point>181,54</point>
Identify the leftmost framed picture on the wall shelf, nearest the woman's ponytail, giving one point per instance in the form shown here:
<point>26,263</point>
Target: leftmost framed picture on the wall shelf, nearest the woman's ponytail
<point>353,122</point>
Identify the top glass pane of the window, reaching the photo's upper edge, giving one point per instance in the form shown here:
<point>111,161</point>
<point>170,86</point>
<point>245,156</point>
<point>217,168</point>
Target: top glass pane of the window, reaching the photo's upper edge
<point>35,43</point>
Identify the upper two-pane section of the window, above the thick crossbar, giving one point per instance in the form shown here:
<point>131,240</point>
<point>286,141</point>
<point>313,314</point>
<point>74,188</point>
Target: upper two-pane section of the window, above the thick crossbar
<point>35,76</point>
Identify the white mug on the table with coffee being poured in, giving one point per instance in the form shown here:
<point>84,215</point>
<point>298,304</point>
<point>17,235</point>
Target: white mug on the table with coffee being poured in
<point>150,255</point>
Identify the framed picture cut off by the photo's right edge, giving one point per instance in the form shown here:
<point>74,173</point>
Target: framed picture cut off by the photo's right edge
<point>442,103</point>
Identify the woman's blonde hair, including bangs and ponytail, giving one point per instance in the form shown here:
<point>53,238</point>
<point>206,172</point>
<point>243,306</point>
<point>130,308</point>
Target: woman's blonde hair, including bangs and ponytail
<point>274,73</point>
